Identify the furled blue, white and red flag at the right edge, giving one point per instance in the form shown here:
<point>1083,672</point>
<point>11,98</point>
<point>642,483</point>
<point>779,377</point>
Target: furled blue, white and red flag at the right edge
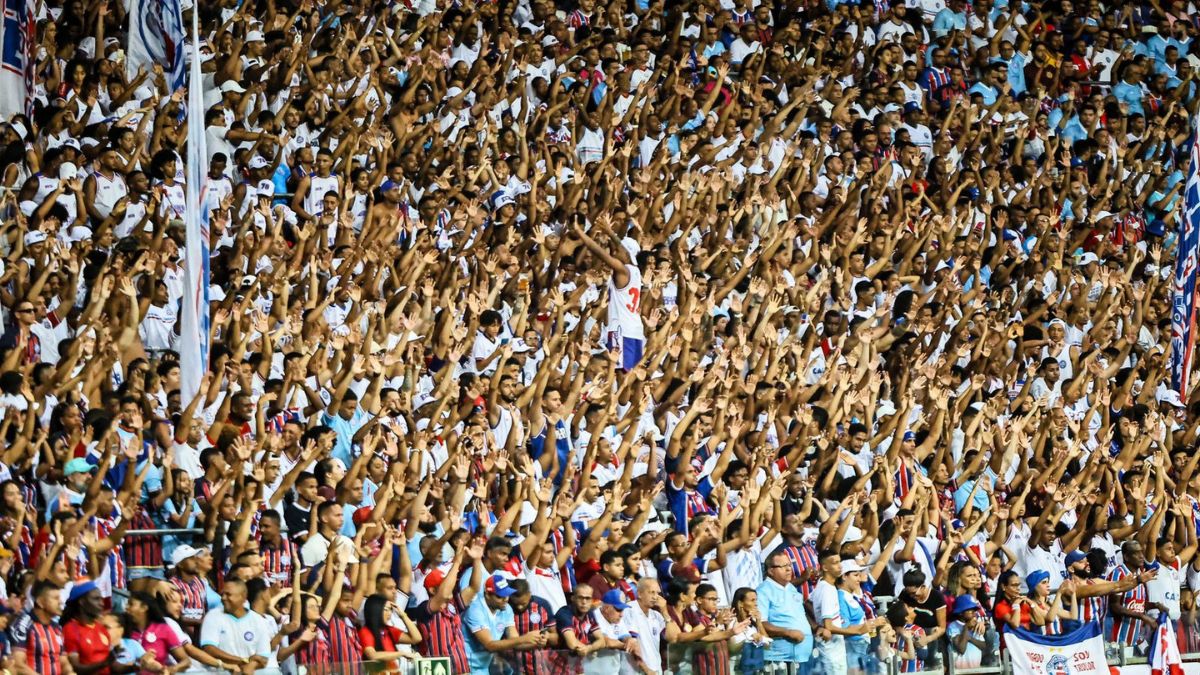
<point>1184,300</point>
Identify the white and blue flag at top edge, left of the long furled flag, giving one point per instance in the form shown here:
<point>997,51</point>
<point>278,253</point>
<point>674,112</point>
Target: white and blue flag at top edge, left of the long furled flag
<point>157,37</point>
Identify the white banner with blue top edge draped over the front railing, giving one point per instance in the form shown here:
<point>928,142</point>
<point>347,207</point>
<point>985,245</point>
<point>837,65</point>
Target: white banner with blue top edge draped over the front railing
<point>1079,652</point>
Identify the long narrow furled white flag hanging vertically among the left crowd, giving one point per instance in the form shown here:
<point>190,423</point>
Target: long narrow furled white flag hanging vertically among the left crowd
<point>195,334</point>
